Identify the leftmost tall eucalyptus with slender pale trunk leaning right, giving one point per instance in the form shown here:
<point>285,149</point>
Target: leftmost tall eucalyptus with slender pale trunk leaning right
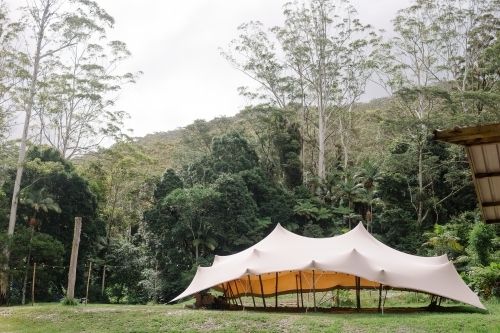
<point>54,26</point>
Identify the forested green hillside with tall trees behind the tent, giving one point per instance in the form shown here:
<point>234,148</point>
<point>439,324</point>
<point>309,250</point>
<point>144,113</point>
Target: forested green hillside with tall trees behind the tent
<point>305,153</point>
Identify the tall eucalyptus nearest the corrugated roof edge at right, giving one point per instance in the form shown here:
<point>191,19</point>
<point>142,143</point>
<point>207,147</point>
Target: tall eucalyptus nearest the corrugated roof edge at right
<point>427,67</point>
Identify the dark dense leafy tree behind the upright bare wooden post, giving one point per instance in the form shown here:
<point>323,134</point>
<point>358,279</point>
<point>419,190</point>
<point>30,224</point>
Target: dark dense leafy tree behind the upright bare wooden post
<point>74,198</point>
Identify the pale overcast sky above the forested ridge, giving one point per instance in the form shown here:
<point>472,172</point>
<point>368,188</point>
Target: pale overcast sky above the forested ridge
<point>175,43</point>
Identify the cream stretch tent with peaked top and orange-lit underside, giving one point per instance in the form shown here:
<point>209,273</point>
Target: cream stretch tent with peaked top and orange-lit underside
<point>284,262</point>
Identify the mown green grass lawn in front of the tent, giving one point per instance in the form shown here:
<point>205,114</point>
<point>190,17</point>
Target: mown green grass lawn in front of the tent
<point>175,318</point>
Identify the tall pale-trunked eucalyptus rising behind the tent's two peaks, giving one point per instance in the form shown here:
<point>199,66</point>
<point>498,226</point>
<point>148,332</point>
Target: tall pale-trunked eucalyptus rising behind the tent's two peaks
<point>321,63</point>
